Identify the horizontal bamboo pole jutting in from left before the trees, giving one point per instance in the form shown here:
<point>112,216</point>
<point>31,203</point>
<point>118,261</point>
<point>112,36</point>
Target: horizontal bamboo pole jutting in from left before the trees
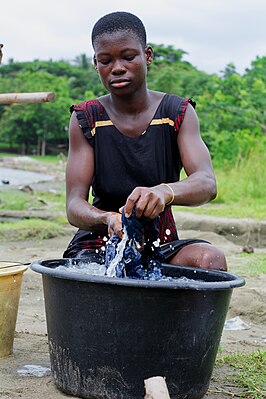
<point>26,98</point>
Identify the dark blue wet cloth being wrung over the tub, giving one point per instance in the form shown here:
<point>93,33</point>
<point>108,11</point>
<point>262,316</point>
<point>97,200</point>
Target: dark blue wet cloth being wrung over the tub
<point>122,256</point>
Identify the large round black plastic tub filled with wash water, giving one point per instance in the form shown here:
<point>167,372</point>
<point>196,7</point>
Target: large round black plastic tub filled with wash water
<point>107,335</point>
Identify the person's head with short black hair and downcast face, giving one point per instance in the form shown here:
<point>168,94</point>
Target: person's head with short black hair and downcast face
<point>121,53</point>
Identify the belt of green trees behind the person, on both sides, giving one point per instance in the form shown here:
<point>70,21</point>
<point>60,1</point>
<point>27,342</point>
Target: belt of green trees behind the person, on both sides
<point>231,107</point>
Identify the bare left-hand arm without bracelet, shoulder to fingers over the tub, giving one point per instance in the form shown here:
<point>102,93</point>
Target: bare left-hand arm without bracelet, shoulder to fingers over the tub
<point>79,175</point>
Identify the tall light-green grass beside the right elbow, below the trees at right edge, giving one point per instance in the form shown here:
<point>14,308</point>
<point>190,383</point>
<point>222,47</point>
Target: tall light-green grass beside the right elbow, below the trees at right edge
<point>241,188</point>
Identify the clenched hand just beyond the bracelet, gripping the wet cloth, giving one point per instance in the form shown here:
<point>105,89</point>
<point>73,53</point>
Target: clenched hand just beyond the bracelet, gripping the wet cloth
<point>149,202</point>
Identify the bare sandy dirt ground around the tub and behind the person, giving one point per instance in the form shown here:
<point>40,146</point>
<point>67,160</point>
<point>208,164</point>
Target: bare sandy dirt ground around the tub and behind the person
<point>26,373</point>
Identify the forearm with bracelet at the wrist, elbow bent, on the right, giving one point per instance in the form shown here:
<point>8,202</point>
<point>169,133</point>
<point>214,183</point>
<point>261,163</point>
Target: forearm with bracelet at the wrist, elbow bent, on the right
<point>197,189</point>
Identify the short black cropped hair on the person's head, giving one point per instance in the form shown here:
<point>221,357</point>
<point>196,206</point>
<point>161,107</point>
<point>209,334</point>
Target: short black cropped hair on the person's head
<point>119,21</point>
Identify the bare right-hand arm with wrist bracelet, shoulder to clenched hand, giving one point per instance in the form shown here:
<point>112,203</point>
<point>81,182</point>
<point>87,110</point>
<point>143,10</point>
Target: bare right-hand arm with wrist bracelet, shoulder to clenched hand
<point>198,188</point>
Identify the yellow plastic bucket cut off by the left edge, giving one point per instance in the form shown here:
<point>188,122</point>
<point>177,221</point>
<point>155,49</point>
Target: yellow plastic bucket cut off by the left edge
<point>11,274</point>
